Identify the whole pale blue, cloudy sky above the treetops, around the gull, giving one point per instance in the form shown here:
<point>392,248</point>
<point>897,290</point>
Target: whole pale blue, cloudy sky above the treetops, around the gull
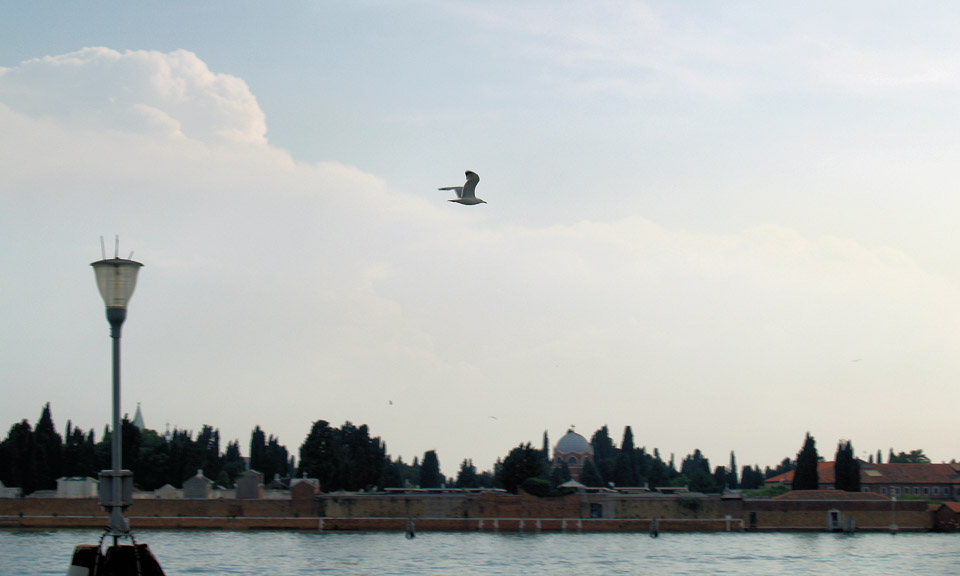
<point>724,224</point>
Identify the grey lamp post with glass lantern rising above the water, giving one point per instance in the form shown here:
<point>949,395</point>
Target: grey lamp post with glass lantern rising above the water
<point>116,279</point>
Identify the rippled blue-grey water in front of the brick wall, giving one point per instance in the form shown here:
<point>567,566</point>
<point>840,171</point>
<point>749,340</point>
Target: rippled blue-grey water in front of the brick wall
<point>479,554</point>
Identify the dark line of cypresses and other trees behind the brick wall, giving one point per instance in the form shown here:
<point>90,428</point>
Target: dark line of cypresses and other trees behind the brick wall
<point>349,458</point>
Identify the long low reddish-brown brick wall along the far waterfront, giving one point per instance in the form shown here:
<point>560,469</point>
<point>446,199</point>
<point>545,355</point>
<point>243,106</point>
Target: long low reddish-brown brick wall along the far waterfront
<point>484,511</point>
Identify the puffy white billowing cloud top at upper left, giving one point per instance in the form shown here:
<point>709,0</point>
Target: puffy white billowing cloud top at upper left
<point>173,93</point>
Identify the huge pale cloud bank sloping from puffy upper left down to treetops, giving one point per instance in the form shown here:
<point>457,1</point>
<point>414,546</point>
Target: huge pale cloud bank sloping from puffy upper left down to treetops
<point>291,292</point>
